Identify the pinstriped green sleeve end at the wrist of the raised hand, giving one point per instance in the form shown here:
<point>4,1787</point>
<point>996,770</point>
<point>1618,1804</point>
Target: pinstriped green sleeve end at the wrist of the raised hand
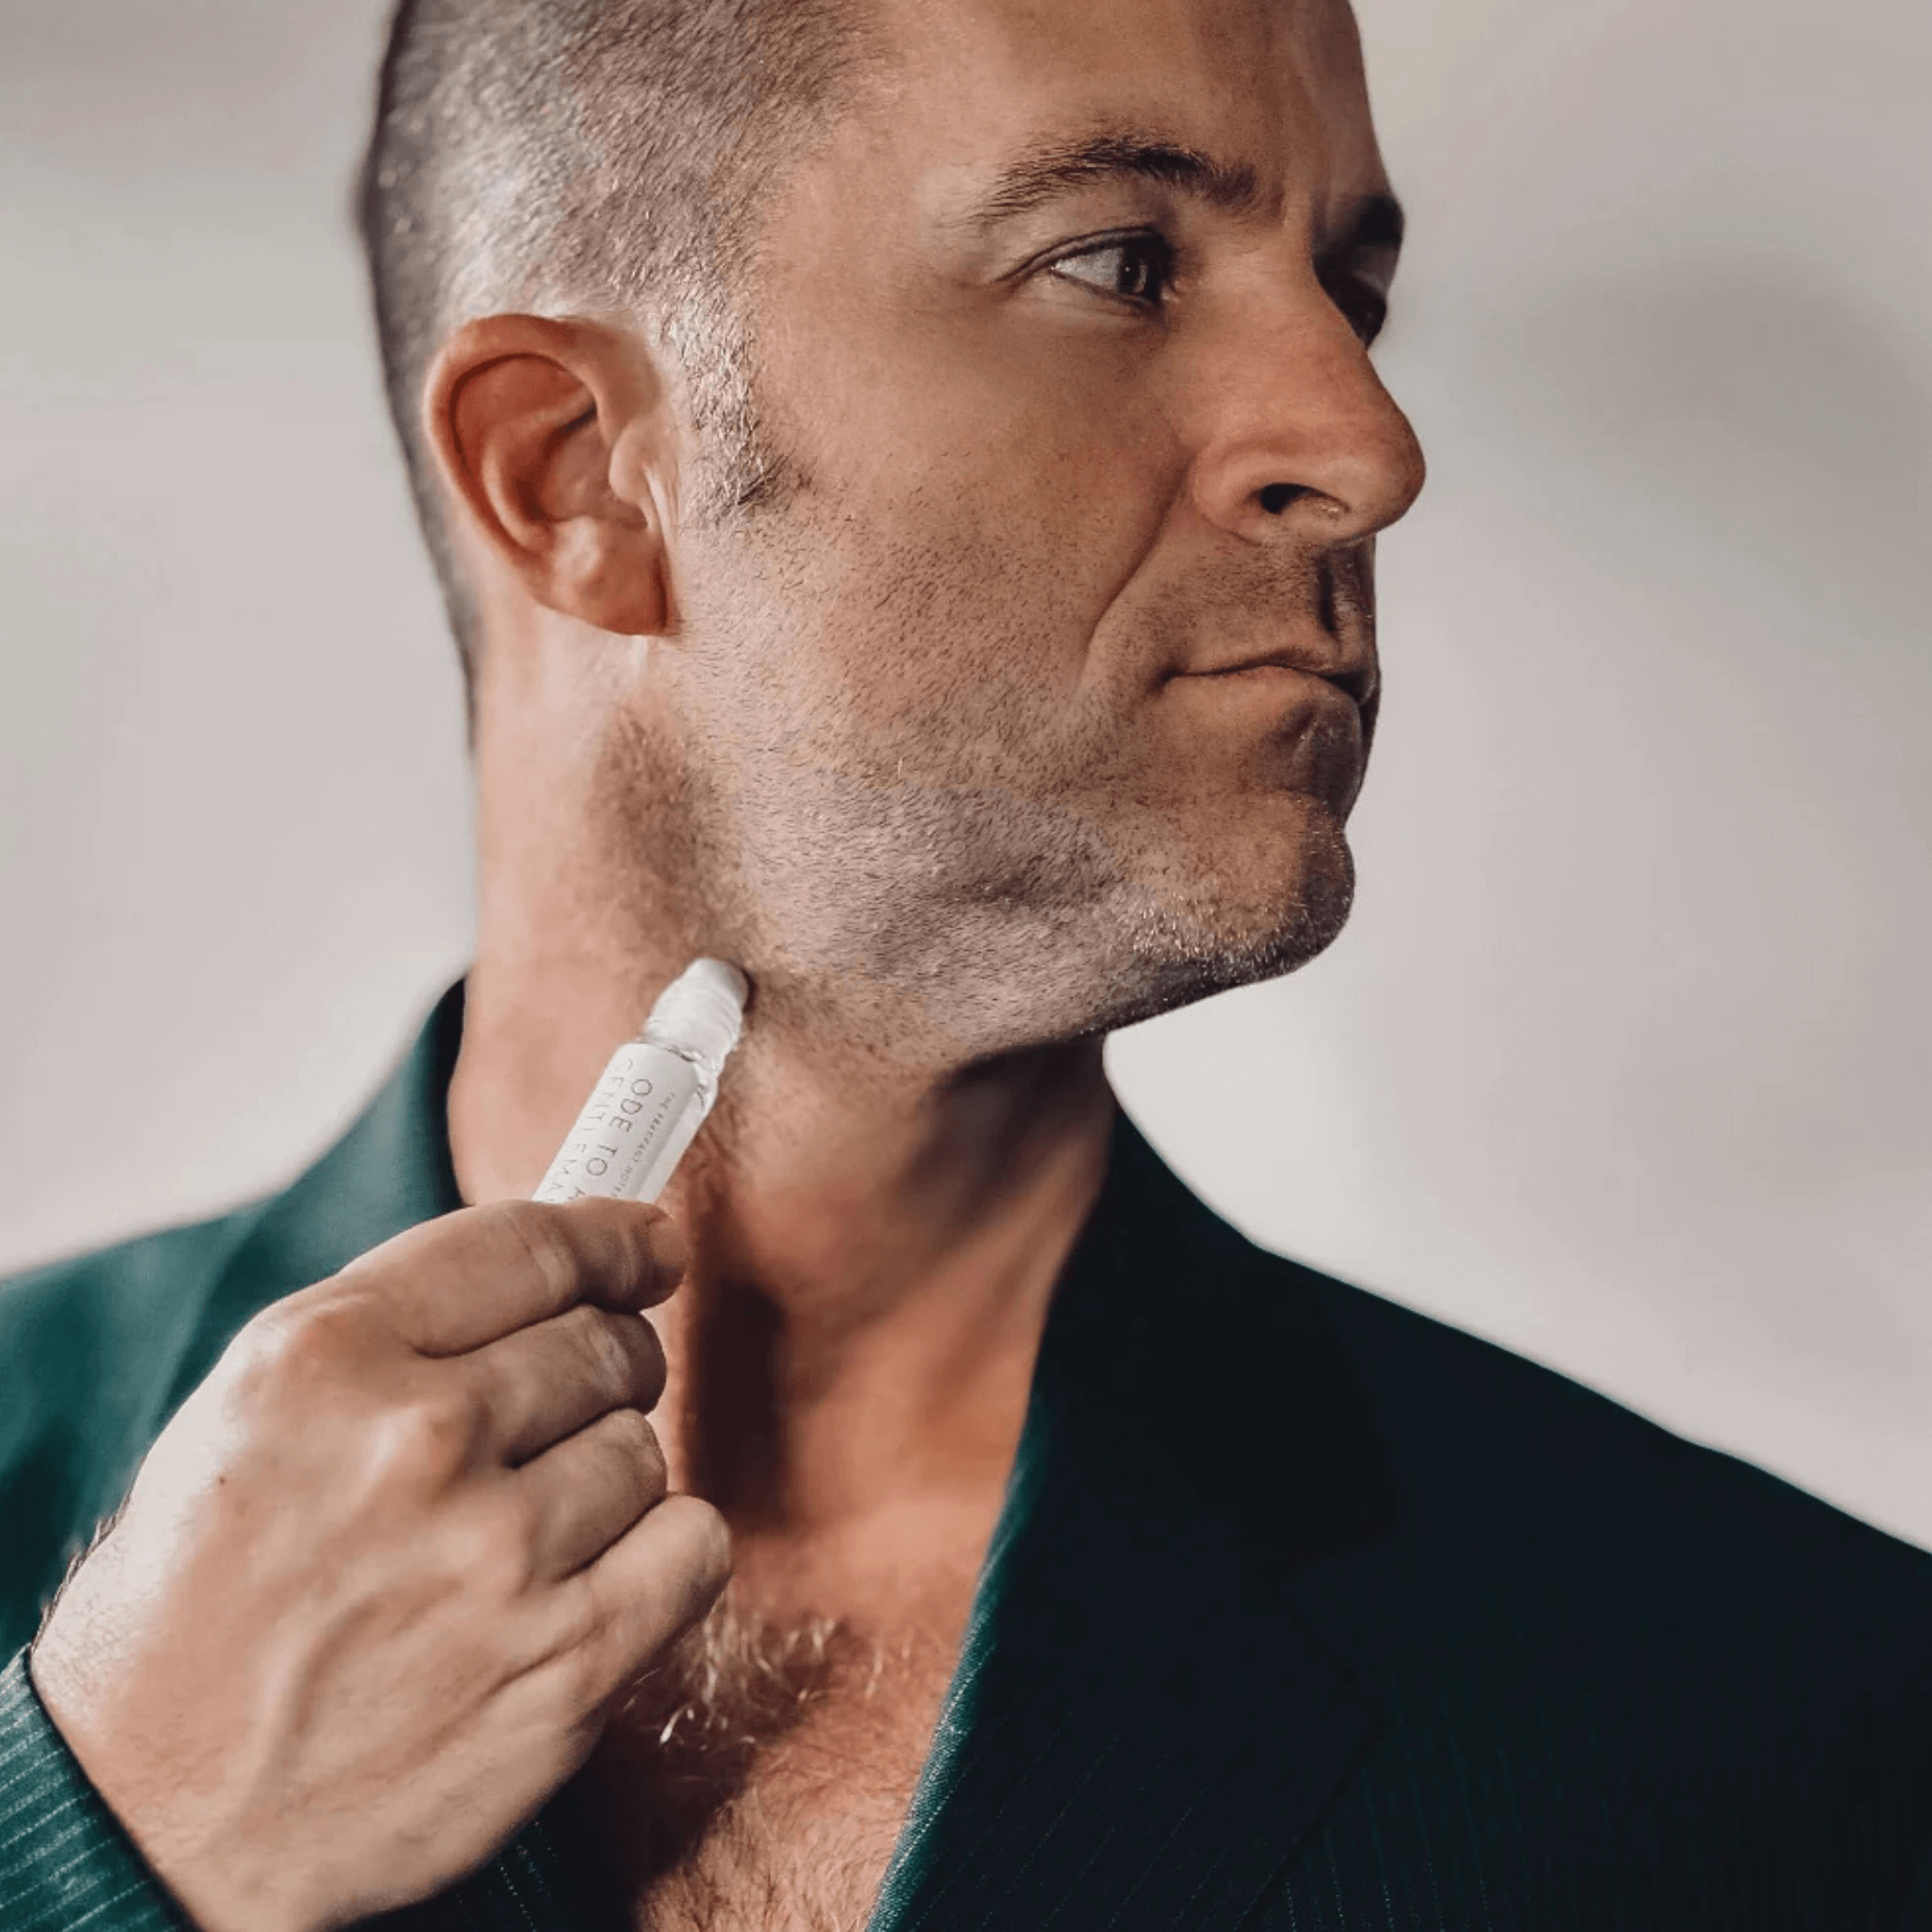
<point>65,1863</point>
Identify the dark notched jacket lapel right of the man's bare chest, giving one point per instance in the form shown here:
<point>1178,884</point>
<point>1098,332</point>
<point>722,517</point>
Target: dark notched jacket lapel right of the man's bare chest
<point>1141,1730</point>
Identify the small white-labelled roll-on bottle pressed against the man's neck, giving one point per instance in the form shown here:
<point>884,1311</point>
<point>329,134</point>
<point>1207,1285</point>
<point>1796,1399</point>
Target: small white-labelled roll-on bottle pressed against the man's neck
<point>656,1093</point>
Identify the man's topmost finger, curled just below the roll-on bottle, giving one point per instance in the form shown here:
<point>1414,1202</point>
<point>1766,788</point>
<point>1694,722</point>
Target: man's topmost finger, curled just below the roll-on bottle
<point>482,1274</point>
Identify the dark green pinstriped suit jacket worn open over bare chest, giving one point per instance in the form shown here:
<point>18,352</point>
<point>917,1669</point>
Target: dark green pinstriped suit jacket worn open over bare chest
<point>1305,1614</point>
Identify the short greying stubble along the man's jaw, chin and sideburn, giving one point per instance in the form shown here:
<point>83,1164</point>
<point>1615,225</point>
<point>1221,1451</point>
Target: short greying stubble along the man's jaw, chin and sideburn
<point>969,911</point>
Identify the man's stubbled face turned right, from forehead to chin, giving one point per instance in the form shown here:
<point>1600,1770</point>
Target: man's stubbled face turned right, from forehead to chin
<point>1038,695</point>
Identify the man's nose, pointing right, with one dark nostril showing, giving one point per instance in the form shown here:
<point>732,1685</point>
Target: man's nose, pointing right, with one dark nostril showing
<point>1299,441</point>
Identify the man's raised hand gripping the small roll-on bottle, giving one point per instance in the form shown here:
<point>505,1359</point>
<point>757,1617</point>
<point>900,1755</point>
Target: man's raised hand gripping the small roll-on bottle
<point>387,1572</point>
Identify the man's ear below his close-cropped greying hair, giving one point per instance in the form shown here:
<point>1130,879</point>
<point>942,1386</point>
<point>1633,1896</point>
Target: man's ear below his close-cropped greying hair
<point>557,443</point>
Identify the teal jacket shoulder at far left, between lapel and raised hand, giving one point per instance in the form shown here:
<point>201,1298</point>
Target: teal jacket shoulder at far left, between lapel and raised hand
<point>92,1350</point>
